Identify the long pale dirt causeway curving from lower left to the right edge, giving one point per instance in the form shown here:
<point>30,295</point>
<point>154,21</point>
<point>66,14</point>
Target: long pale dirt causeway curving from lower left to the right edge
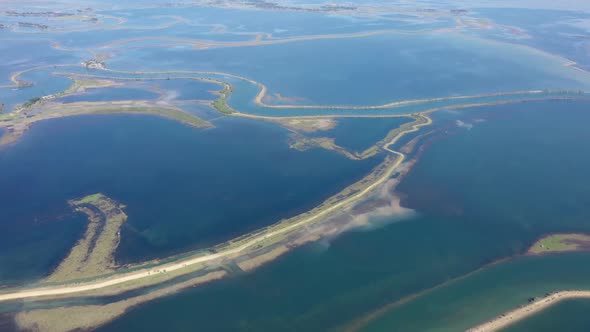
<point>234,248</point>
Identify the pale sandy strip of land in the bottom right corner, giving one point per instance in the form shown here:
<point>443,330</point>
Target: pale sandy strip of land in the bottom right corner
<point>520,313</point>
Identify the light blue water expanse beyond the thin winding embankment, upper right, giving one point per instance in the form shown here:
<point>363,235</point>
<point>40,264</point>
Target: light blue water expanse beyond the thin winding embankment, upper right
<point>327,71</point>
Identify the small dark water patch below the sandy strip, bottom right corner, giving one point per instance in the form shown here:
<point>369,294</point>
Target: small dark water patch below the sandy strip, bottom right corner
<point>570,315</point>
